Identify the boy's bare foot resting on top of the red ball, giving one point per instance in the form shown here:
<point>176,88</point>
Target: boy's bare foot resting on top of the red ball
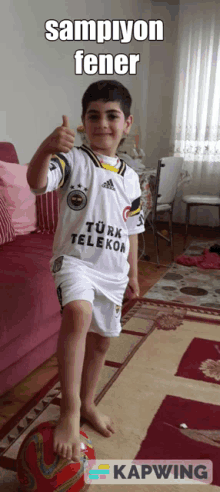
<point>67,436</point>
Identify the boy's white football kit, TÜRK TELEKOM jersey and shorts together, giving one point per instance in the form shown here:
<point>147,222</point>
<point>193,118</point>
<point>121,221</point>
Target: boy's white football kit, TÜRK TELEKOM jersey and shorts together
<point>99,209</point>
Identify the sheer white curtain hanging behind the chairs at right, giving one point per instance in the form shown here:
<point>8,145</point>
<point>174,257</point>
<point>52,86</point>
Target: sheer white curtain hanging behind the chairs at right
<point>196,110</point>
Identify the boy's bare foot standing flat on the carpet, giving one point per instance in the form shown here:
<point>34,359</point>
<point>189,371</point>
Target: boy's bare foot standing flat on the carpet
<point>102,423</point>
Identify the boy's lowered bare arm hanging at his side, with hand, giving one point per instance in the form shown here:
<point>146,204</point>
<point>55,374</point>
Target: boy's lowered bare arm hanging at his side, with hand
<point>133,261</point>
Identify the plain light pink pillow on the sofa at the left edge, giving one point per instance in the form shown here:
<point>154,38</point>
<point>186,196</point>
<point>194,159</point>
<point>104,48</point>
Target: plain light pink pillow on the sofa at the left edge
<point>21,202</point>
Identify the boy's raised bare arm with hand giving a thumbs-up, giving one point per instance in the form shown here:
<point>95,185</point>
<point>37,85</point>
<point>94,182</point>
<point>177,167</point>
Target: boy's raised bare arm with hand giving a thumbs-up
<point>61,140</point>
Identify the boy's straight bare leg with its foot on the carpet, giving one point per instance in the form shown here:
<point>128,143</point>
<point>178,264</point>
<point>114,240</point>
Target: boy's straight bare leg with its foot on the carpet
<point>96,349</point>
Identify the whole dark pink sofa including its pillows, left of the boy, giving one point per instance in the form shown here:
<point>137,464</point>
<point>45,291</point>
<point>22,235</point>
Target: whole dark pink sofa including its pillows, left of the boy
<point>30,312</point>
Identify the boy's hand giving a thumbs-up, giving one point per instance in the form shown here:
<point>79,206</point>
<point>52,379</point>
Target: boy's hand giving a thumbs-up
<point>61,140</point>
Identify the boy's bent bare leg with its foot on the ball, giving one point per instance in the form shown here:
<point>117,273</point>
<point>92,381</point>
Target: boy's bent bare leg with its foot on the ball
<point>76,320</point>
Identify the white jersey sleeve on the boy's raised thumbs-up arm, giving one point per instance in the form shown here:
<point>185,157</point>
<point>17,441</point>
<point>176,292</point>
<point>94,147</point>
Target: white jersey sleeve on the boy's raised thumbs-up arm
<point>59,172</point>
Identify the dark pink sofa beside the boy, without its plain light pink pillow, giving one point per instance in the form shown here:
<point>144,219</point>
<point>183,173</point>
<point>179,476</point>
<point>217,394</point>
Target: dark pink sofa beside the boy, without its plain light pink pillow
<point>30,313</point>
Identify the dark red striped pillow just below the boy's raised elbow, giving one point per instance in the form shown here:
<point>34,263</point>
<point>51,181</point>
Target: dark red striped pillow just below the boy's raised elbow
<point>47,211</point>
